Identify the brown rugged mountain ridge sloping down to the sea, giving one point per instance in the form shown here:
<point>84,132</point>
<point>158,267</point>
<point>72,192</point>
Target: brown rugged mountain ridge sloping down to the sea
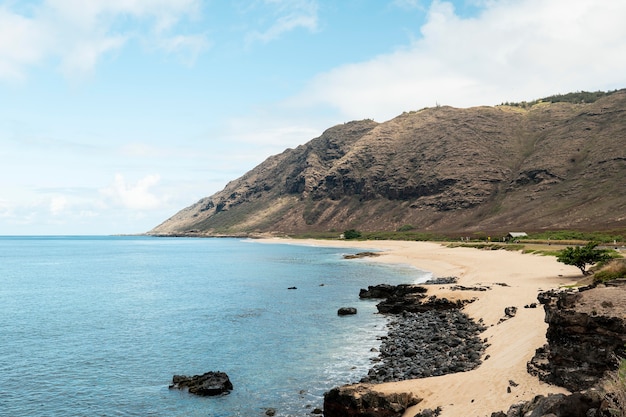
<point>535,166</point>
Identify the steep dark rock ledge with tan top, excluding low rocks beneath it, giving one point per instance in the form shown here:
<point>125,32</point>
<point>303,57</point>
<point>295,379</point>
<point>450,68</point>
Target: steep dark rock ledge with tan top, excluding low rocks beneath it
<point>586,332</point>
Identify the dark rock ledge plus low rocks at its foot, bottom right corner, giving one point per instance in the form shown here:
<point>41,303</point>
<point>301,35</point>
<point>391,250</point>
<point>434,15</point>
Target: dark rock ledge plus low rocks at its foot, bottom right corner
<point>586,337</point>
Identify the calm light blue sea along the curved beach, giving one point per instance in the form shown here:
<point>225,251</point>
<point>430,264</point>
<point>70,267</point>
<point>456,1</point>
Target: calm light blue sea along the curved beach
<point>97,326</point>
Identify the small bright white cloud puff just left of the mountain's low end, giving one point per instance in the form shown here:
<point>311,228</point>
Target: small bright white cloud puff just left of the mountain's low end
<point>133,196</point>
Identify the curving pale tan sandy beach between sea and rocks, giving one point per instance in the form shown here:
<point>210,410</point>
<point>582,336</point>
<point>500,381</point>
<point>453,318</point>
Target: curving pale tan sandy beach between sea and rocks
<point>514,279</point>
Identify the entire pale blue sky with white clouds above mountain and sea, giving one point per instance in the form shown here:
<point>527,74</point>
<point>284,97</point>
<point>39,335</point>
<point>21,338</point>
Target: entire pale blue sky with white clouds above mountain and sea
<point>116,114</point>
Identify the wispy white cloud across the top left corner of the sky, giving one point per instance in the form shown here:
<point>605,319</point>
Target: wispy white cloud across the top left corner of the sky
<point>77,33</point>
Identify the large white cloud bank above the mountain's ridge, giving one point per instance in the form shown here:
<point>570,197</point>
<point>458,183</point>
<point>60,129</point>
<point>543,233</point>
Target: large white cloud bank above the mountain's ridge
<point>512,51</point>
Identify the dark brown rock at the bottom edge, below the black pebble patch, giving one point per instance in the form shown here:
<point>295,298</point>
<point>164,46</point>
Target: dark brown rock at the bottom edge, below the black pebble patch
<point>364,401</point>
